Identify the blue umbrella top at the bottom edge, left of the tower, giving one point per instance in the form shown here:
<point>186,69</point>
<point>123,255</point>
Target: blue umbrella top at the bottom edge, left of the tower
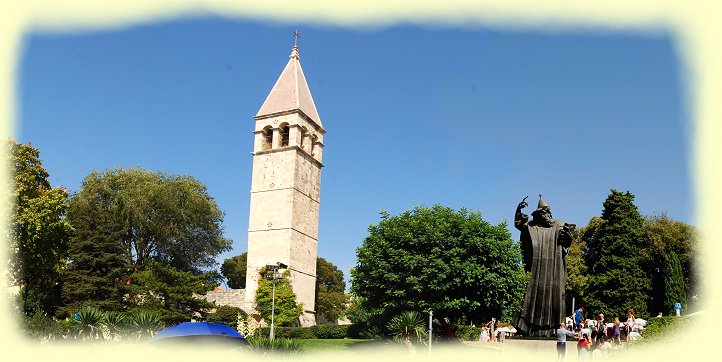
<point>200,332</point>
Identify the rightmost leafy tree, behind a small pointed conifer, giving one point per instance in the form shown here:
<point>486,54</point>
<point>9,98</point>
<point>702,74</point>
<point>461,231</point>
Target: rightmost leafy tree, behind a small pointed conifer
<point>667,237</point>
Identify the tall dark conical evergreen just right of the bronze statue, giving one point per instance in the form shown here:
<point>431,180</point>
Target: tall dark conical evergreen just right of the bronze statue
<point>617,267</point>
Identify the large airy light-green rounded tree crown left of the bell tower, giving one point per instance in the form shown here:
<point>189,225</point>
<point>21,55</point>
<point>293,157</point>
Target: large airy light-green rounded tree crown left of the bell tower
<point>158,216</point>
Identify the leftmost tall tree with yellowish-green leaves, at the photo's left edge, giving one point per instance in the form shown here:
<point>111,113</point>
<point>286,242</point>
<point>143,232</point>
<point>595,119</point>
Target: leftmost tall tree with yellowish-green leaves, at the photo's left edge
<point>38,231</point>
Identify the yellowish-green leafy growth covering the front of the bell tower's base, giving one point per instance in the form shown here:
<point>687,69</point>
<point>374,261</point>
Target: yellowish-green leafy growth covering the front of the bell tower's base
<point>286,311</point>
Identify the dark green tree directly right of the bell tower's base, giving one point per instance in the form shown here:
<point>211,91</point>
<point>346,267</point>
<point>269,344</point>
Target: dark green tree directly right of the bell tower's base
<point>331,299</point>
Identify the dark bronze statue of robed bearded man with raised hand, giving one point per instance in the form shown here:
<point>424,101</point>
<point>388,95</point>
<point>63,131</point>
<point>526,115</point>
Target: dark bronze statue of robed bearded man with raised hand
<point>544,245</point>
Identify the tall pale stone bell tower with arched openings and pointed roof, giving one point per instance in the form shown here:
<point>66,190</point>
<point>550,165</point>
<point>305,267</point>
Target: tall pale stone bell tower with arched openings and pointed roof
<point>283,221</point>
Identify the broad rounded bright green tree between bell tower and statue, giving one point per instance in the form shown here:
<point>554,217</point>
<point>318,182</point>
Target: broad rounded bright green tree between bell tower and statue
<point>453,263</point>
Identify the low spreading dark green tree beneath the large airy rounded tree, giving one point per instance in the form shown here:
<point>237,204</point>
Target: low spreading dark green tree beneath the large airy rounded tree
<point>171,293</point>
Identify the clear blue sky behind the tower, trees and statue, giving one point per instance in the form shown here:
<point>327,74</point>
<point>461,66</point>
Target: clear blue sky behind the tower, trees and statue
<point>468,117</point>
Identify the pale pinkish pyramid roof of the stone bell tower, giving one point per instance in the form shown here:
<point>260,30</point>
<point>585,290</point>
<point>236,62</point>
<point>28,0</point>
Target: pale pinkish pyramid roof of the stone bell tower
<point>291,92</point>
